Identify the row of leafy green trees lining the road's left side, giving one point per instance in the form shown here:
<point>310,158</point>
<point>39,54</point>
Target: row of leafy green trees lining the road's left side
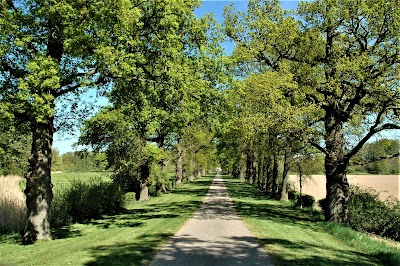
<point>156,61</point>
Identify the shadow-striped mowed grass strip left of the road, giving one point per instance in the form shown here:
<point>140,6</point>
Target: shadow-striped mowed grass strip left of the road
<point>129,238</point>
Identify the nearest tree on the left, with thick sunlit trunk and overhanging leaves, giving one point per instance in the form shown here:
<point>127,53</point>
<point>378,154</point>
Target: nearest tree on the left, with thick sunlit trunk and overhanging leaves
<point>54,49</point>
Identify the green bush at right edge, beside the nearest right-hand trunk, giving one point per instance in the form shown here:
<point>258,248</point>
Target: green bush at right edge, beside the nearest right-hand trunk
<point>369,214</point>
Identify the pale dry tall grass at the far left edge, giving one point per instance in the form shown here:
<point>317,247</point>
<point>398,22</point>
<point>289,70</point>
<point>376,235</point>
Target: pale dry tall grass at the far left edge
<point>12,204</point>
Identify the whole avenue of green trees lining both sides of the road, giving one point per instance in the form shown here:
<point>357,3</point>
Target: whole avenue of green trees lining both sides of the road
<point>318,81</point>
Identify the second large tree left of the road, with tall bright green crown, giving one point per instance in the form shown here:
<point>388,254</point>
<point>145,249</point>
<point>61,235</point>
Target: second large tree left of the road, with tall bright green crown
<point>176,79</point>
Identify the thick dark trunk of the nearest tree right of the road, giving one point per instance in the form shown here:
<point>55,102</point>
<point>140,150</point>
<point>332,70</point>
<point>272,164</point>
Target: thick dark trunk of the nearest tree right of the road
<point>337,186</point>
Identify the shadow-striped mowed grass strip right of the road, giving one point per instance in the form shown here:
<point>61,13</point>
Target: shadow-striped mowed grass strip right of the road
<point>299,237</point>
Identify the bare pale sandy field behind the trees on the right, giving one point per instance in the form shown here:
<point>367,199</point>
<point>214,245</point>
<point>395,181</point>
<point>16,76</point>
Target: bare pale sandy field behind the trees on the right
<point>387,185</point>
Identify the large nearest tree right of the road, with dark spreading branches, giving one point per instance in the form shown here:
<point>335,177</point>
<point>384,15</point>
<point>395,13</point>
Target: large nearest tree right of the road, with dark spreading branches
<point>345,56</point>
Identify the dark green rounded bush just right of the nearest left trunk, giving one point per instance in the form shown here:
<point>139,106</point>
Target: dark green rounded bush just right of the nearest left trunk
<point>85,201</point>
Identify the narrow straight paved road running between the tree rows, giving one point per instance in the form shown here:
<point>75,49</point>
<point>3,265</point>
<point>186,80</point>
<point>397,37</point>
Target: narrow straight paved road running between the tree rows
<point>214,236</point>
